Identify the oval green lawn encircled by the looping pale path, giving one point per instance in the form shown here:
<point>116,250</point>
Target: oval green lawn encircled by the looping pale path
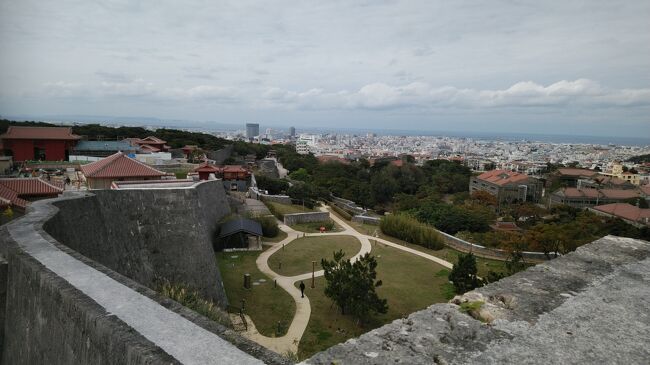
<point>297,256</point>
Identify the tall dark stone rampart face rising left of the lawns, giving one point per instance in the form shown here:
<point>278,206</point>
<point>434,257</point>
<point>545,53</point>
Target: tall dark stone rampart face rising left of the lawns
<point>148,235</point>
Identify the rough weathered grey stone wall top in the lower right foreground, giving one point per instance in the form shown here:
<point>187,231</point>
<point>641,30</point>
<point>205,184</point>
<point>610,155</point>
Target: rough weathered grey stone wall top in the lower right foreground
<point>587,307</point>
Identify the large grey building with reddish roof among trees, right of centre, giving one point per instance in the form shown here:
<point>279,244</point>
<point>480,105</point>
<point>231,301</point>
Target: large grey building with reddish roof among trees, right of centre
<point>507,186</point>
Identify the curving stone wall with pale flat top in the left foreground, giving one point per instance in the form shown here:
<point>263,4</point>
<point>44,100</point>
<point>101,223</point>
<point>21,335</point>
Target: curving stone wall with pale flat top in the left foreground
<point>64,308</point>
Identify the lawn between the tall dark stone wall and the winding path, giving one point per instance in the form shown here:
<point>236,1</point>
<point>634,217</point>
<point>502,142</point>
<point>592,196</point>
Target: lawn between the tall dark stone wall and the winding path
<point>265,304</point>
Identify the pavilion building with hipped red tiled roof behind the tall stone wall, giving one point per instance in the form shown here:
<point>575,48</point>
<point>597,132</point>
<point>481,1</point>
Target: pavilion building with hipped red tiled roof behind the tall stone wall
<point>117,167</point>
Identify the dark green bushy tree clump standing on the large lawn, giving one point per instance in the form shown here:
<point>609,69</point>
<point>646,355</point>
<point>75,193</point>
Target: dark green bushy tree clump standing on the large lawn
<point>351,286</point>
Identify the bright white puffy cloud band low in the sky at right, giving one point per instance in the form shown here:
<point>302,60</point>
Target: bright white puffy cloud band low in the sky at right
<point>581,92</point>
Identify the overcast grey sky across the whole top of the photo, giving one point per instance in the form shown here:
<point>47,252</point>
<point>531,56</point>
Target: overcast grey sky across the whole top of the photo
<point>560,67</point>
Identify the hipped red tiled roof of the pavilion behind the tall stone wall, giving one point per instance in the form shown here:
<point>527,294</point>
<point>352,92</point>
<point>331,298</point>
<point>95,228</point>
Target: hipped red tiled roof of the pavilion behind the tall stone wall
<point>119,165</point>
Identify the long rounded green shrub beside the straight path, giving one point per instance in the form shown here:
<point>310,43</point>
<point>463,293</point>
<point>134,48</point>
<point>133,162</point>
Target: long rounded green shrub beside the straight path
<point>409,229</point>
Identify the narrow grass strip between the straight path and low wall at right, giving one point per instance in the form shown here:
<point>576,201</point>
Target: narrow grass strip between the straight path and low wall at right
<point>448,254</point>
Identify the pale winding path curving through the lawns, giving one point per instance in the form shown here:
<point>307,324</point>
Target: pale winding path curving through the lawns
<point>289,342</point>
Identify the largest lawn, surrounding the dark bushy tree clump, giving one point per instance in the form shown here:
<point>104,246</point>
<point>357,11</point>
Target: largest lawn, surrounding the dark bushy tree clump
<point>410,283</point>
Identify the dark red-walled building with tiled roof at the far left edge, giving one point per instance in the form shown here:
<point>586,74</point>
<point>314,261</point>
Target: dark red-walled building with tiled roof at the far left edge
<point>38,143</point>
